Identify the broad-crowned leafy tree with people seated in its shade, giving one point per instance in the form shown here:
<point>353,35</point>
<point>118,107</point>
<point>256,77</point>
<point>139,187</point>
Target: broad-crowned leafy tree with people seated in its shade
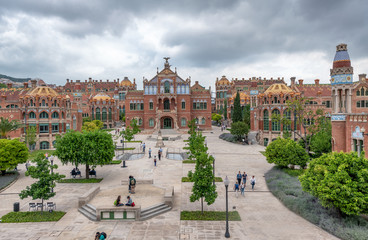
<point>89,148</point>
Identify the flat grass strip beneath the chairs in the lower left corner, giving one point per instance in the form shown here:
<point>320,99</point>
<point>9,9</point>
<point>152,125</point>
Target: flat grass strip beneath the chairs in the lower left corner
<point>17,217</point>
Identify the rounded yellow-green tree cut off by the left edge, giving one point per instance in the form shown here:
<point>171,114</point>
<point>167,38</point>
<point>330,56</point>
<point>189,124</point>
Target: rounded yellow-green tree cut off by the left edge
<point>12,152</point>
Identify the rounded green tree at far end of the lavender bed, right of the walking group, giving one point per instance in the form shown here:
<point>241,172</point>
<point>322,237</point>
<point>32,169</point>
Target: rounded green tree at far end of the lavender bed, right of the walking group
<point>283,152</point>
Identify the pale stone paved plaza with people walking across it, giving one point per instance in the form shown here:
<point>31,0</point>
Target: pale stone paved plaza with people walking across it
<point>263,216</point>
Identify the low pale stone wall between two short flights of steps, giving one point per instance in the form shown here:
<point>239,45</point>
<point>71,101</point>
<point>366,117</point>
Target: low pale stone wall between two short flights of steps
<point>118,213</point>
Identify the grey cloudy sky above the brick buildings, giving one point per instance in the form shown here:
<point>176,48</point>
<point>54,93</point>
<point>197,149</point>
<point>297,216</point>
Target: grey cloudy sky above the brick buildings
<point>54,40</point>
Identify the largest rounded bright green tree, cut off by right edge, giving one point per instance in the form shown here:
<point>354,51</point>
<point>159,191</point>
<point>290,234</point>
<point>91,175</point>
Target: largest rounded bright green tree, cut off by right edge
<point>339,180</point>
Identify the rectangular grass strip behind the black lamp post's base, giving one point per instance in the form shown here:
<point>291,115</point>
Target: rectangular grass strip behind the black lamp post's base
<point>209,216</point>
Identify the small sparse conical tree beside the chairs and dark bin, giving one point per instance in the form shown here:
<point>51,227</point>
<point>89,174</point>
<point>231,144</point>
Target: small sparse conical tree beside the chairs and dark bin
<point>46,180</point>
